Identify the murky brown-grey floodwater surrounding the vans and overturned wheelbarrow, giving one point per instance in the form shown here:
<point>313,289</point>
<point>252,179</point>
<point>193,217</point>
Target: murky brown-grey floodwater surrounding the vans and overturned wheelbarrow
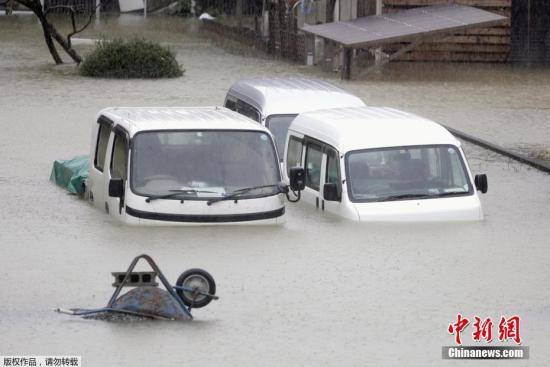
<point>317,291</point>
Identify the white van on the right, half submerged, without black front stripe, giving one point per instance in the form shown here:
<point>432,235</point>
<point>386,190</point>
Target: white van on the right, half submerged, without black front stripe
<point>381,164</point>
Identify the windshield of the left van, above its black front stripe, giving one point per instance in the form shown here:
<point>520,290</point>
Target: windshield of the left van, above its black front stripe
<point>203,164</point>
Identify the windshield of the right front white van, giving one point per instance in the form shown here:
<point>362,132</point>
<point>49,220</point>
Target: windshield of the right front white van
<point>405,173</point>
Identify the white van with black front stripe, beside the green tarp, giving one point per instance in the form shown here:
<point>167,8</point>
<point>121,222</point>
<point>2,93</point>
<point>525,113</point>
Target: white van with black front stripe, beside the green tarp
<point>184,165</point>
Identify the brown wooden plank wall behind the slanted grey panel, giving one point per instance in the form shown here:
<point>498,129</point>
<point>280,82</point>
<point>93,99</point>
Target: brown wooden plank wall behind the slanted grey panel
<point>479,44</point>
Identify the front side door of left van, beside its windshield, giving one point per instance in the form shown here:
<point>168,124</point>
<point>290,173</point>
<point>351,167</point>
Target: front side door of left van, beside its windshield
<point>118,168</point>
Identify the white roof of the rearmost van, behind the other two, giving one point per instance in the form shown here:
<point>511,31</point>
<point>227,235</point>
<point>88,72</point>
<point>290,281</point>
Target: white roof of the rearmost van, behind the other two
<point>292,95</point>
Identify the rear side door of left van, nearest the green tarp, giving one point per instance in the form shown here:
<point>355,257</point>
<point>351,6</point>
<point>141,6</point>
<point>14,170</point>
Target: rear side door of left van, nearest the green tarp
<point>96,181</point>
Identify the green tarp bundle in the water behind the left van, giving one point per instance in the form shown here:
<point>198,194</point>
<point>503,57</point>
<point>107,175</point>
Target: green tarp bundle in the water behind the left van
<point>71,174</point>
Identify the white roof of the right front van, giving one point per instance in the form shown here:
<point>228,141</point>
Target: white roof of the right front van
<point>370,127</point>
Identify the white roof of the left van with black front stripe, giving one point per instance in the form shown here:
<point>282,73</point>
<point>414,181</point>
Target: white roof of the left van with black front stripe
<point>135,119</point>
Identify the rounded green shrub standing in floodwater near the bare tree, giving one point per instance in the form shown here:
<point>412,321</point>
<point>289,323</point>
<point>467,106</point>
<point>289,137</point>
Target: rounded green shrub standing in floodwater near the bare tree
<point>136,58</point>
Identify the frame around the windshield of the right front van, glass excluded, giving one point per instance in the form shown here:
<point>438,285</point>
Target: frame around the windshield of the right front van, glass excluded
<point>470,191</point>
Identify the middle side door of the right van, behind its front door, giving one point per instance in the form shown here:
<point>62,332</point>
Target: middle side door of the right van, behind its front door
<point>314,171</point>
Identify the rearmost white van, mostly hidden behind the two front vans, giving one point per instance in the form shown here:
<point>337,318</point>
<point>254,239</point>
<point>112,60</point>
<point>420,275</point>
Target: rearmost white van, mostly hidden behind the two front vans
<point>276,102</point>
